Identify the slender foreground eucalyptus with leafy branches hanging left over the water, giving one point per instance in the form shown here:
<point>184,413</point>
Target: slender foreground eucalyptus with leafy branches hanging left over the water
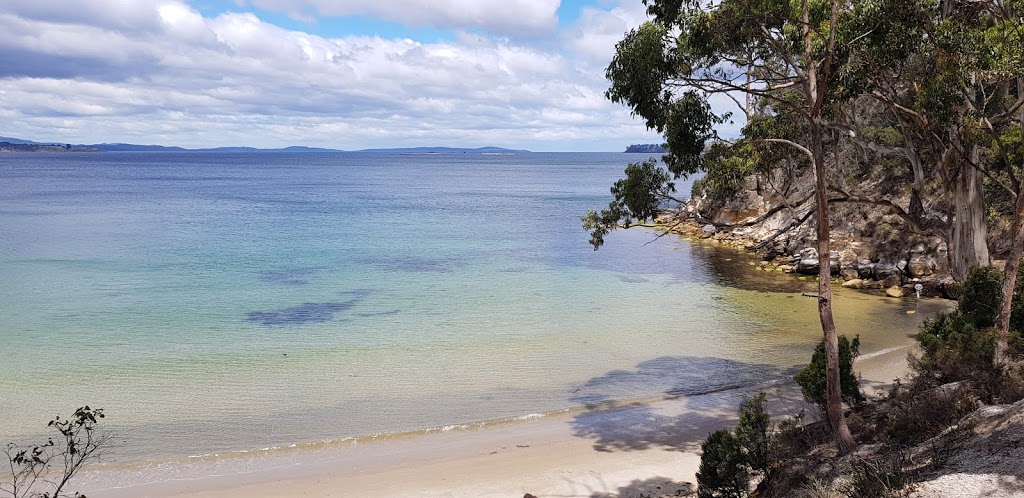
<point>776,54</point>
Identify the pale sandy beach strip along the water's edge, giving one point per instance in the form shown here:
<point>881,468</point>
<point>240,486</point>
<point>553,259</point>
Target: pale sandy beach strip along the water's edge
<point>645,448</point>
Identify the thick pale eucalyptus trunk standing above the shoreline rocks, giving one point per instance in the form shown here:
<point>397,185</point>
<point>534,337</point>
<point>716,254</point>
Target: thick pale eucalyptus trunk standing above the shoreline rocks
<point>970,236</point>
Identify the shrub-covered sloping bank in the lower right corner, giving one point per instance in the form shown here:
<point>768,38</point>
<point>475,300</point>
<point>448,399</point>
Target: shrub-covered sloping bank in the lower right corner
<point>957,401</point>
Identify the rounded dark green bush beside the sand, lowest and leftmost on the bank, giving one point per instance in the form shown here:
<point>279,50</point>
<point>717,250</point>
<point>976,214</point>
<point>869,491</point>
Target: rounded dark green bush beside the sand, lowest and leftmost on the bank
<point>723,472</point>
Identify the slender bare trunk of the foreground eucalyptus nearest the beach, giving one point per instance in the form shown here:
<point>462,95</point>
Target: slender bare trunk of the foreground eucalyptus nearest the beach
<point>834,395</point>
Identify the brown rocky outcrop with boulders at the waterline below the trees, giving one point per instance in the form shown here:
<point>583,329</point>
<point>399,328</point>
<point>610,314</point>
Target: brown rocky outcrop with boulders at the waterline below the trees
<point>868,244</point>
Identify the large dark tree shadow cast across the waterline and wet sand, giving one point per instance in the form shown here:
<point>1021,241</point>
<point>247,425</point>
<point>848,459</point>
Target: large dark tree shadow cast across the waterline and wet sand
<point>705,395</point>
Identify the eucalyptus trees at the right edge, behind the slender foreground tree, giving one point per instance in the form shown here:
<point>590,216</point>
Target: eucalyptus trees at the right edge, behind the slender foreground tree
<point>950,75</point>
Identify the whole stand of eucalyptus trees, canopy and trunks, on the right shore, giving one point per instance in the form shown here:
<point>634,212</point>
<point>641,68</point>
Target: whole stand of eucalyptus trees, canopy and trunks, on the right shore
<point>912,110</point>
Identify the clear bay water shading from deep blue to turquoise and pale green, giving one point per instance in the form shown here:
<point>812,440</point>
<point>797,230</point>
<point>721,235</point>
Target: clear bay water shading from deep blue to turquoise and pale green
<point>218,303</point>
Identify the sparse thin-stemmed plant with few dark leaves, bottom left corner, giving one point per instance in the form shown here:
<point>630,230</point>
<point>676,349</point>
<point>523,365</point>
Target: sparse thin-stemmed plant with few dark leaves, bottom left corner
<point>53,465</point>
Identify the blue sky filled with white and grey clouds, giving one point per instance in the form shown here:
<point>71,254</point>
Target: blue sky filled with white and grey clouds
<point>340,74</point>
